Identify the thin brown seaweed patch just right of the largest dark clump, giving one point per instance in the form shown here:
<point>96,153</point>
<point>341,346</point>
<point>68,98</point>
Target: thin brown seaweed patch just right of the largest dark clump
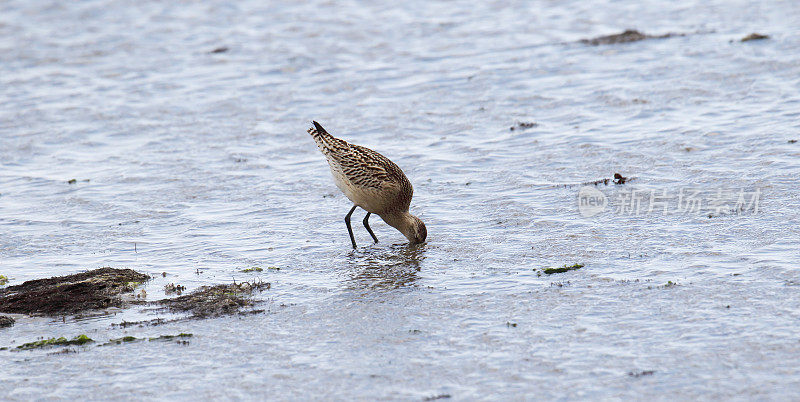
<point>211,301</point>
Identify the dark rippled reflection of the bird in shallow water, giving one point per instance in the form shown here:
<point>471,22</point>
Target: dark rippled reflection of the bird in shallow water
<point>393,267</point>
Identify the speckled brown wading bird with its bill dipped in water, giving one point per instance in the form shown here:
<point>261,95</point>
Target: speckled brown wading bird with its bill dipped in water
<point>371,181</point>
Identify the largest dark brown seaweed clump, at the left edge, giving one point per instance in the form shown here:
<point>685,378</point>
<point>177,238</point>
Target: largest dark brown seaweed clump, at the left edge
<point>95,289</point>
